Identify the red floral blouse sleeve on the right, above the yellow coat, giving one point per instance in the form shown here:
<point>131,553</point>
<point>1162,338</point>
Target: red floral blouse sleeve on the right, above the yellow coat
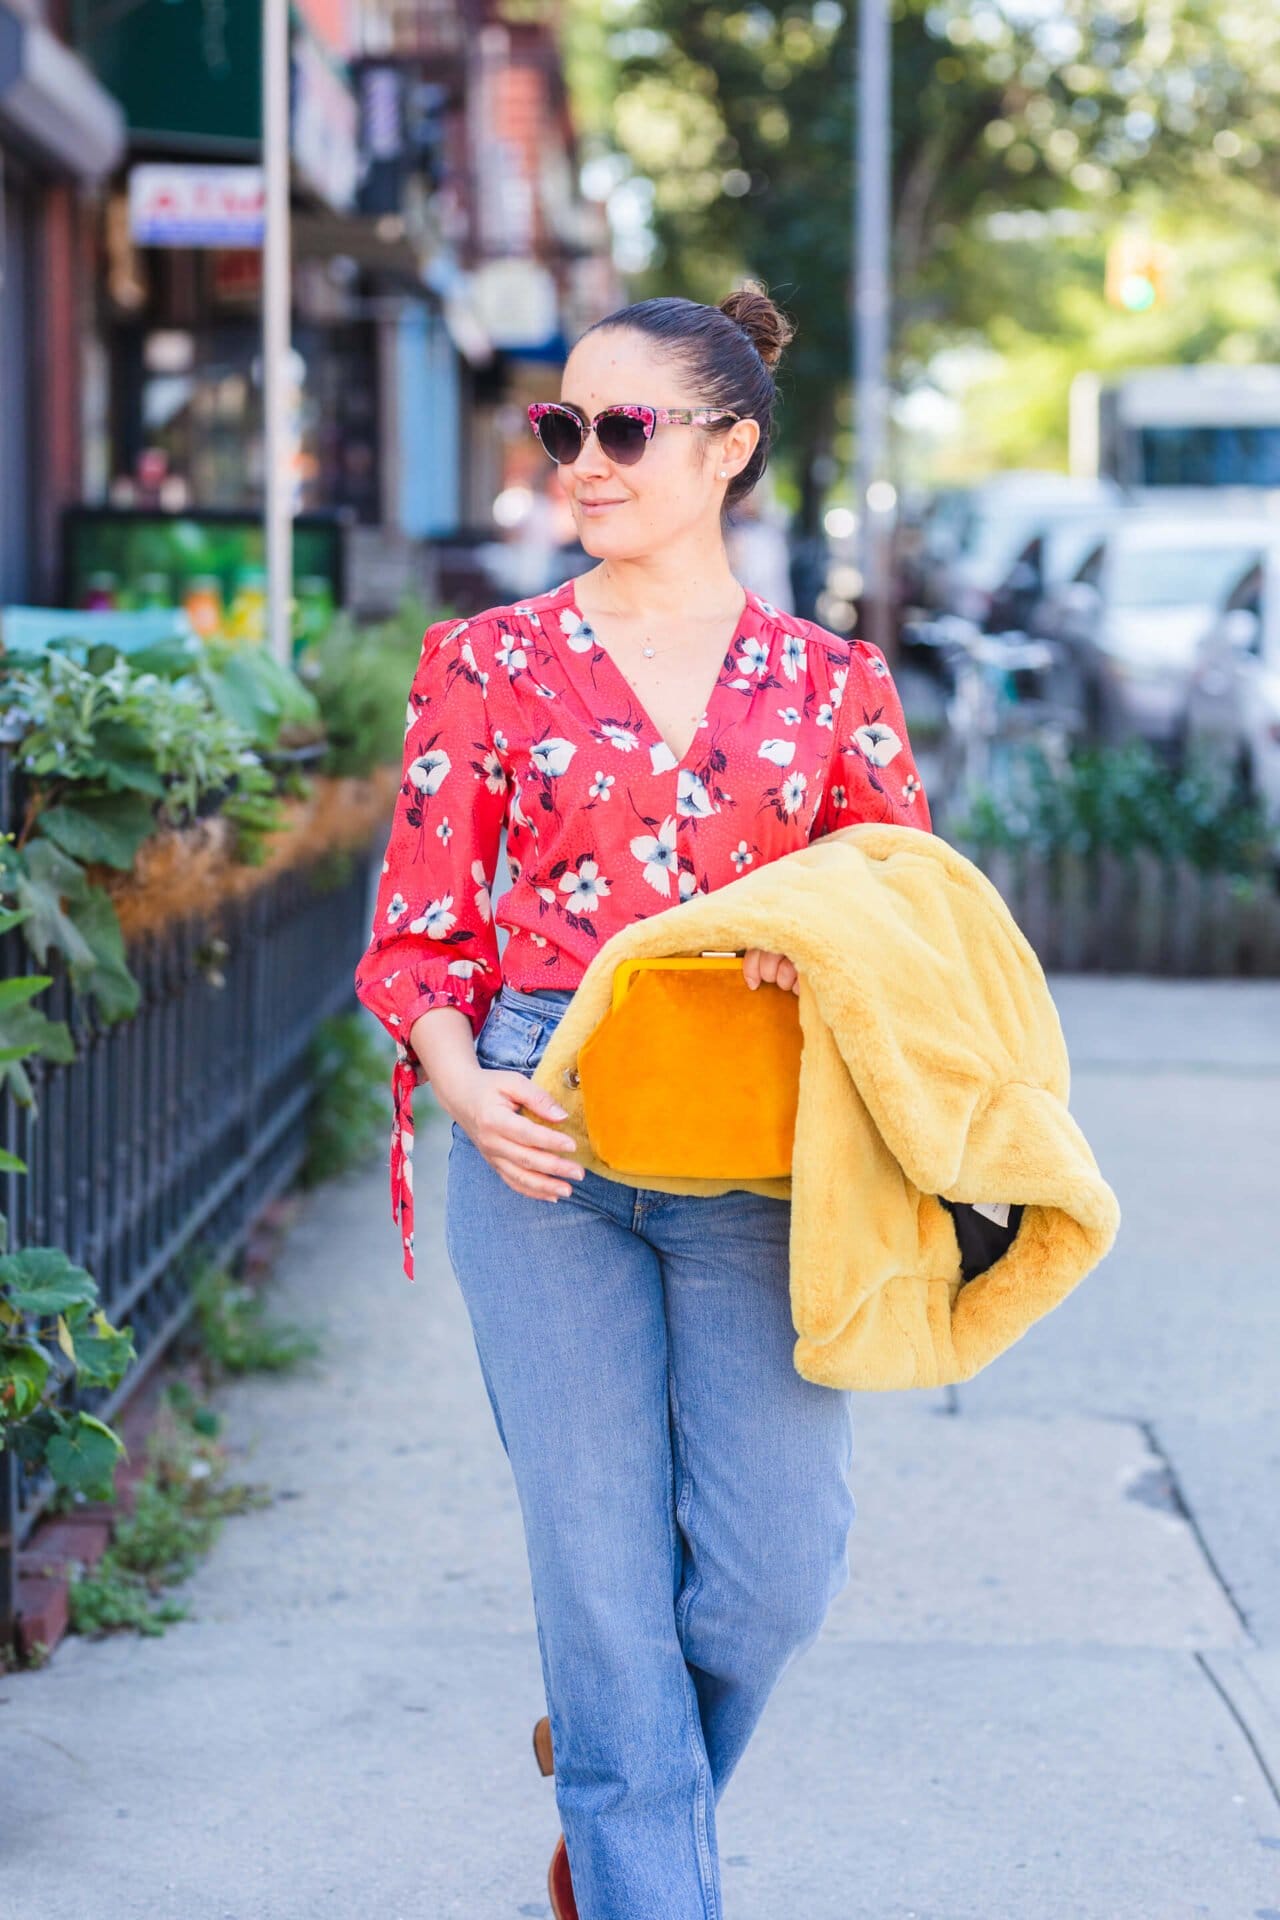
<point>872,773</point>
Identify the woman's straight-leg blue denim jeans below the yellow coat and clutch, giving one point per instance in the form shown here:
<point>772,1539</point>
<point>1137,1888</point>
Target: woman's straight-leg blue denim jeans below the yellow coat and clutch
<point>684,1491</point>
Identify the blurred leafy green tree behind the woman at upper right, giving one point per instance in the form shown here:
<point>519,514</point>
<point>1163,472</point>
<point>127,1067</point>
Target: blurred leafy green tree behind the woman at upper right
<point>740,126</point>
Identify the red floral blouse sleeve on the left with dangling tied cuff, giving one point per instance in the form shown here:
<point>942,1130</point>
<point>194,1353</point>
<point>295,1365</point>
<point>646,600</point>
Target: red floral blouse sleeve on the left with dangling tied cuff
<point>433,940</point>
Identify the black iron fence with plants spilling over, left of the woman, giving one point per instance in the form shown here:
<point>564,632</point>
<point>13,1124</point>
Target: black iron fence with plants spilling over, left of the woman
<point>174,1130</point>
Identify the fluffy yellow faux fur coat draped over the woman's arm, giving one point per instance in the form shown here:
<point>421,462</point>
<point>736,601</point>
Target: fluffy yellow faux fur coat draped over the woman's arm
<point>934,1068</point>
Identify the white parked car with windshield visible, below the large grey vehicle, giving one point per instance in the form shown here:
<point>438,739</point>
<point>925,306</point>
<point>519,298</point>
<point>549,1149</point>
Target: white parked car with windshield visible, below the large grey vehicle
<point>1133,615</point>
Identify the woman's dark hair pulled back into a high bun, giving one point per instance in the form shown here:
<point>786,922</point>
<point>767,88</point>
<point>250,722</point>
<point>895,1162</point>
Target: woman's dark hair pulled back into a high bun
<point>728,352</point>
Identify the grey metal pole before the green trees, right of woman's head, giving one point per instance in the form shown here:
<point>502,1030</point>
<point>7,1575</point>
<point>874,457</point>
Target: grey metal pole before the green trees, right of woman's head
<point>872,312</point>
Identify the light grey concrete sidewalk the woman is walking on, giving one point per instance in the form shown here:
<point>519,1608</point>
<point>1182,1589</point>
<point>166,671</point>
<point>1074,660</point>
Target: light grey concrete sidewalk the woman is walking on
<point>1051,1691</point>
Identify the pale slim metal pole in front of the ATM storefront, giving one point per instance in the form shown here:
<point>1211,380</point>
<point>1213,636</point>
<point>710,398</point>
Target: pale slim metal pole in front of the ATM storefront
<point>279,506</point>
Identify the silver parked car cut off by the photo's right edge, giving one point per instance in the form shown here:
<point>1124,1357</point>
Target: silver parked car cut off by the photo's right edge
<point>1235,688</point>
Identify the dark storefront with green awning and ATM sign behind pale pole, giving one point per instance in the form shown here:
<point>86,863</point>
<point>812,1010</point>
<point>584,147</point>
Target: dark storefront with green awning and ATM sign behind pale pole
<point>181,324</point>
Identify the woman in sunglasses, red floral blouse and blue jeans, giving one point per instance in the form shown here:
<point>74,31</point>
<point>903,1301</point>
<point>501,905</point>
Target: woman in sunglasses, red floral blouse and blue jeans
<point>642,732</point>
